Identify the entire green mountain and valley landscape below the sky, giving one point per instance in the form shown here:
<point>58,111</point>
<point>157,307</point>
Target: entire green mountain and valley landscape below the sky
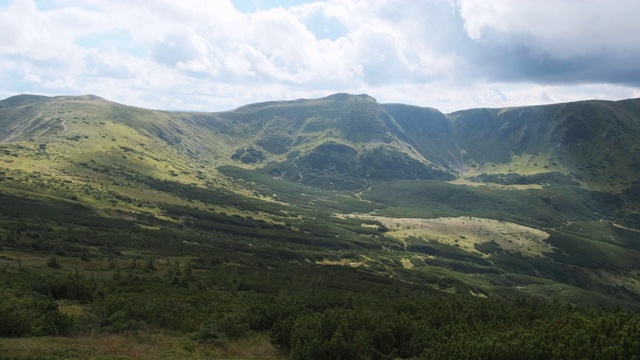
<point>217,232</point>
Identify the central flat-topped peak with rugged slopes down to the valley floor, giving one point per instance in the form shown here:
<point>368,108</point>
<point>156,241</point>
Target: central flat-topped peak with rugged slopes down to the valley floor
<point>341,141</point>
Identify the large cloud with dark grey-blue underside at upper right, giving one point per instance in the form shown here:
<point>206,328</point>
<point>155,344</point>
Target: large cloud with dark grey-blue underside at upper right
<point>554,41</point>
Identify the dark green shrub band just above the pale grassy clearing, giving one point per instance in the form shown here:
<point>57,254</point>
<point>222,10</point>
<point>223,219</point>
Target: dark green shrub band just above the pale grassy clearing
<point>539,208</point>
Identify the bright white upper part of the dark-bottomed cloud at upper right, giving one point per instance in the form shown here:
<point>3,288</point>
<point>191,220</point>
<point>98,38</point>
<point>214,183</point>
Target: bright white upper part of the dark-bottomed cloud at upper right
<point>565,28</point>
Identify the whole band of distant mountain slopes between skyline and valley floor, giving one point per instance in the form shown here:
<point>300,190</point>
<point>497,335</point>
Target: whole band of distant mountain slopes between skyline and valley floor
<point>347,141</point>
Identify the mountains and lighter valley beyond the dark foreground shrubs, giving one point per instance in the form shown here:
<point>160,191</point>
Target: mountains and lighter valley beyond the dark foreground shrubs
<point>541,200</point>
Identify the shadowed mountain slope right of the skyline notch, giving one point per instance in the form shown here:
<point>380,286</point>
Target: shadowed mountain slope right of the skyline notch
<point>594,141</point>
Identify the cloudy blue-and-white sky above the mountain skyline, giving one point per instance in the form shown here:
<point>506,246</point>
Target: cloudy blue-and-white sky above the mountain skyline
<point>216,55</point>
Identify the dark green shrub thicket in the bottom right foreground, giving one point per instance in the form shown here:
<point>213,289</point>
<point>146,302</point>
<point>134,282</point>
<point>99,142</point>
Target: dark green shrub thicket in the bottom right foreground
<point>458,328</point>
